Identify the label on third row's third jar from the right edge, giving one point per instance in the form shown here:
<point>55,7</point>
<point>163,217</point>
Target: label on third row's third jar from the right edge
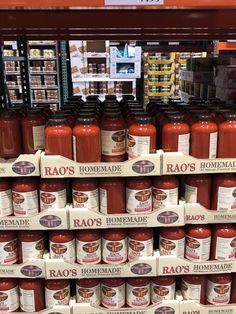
<point>171,247</point>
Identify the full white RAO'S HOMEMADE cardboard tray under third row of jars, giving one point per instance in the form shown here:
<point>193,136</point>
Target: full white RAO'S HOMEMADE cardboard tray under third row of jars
<point>60,269</point>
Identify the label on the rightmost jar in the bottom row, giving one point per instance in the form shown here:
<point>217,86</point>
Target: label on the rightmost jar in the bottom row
<point>218,293</point>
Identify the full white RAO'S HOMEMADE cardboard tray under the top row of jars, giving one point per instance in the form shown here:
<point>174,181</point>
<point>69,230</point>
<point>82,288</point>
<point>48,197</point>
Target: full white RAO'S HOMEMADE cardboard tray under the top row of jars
<point>61,167</point>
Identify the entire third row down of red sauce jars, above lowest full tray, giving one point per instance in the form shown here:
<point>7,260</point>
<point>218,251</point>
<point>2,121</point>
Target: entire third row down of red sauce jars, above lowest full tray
<point>116,246</point>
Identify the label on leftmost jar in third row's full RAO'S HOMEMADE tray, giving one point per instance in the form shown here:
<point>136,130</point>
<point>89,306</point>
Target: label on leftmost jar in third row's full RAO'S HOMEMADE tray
<point>63,250</point>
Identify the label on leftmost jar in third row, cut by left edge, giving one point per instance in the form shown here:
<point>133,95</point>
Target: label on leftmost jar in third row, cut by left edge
<point>8,252</point>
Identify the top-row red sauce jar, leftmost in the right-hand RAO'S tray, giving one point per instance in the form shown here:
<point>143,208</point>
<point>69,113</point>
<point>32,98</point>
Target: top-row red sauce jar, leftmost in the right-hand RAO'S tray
<point>176,135</point>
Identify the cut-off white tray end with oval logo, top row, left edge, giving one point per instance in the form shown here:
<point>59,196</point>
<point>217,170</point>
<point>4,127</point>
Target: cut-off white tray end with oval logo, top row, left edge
<point>24,165</point>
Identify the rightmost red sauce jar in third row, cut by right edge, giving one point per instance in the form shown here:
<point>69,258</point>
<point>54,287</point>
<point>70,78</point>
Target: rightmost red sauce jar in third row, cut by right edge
<point>223,245</point>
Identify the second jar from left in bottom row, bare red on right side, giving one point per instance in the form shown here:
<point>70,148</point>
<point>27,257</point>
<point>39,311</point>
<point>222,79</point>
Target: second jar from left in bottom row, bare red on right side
<point>31,295</point>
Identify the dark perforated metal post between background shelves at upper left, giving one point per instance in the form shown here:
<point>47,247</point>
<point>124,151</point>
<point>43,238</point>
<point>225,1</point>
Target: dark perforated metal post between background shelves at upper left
<point>24,71</point>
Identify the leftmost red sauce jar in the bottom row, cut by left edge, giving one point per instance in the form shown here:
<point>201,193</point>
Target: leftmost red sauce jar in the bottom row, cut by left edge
<point>9,295</point>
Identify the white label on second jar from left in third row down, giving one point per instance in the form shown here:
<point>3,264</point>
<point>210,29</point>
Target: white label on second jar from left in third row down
<point>31,250</point>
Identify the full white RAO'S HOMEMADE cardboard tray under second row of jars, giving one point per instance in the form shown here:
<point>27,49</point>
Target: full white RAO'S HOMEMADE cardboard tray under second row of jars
<point>81,218</point>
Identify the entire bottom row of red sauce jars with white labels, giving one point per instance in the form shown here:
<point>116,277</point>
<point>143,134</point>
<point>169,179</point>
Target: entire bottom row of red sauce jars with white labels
<point>30,295</point>
